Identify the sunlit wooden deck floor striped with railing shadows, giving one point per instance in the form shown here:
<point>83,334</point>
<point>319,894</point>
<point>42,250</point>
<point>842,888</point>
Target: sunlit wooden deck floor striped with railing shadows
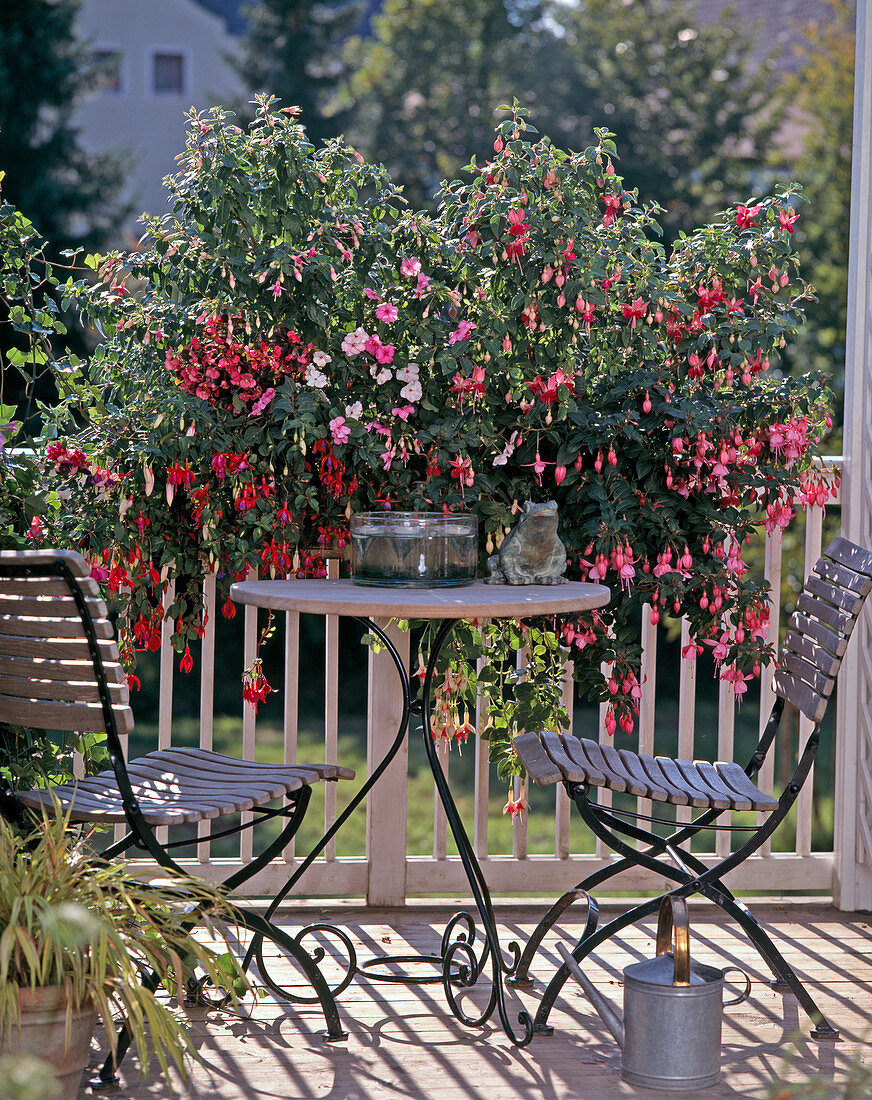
<point>403,1042</point>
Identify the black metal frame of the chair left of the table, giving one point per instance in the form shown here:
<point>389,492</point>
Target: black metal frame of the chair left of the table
<point>141,835</point>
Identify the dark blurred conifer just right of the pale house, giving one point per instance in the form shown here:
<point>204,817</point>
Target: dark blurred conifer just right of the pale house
<point>293,50</point>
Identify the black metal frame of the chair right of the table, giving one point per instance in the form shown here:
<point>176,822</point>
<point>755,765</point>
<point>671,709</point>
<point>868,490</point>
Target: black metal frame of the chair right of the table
<point>620,829</point>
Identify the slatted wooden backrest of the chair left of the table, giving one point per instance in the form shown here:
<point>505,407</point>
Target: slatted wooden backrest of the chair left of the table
<point>50,677</point>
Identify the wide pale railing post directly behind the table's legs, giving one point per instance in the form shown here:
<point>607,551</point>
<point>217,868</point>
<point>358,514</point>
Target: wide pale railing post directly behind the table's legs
<point>387,802</point>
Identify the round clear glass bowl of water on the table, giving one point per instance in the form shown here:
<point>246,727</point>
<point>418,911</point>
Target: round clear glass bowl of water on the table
<point>414,549</point>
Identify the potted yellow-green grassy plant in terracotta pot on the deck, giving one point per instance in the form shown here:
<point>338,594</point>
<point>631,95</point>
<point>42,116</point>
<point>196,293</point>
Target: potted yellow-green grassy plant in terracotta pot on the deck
<point>78,939</point>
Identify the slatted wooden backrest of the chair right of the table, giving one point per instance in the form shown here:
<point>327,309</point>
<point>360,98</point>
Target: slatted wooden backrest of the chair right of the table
<point>827,610</point>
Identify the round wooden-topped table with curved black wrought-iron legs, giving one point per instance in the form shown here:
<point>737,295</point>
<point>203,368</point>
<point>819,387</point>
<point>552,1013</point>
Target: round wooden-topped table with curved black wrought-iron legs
<point>457,961</point>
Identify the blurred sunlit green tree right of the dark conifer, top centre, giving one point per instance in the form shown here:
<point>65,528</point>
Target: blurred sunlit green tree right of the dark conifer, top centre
<point>424,89</point>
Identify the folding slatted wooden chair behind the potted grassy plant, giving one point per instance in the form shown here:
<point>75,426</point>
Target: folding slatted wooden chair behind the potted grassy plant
<point>60,672</point>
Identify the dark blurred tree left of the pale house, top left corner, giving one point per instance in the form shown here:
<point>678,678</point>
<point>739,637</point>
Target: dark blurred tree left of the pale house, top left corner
<point>70,195</point>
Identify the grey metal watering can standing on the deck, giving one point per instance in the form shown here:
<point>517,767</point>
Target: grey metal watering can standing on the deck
<point>670,1036</point>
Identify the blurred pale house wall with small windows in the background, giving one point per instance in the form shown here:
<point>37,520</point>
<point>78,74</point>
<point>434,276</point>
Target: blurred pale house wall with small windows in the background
<point>159,60</point>
